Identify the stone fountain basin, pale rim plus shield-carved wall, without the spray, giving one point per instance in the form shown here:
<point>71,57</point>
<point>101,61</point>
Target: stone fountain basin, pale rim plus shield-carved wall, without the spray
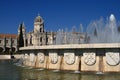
<point>77,57</point>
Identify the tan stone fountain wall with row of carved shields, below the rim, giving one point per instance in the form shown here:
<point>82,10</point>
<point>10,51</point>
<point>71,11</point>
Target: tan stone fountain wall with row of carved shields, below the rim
<point>88,61</point>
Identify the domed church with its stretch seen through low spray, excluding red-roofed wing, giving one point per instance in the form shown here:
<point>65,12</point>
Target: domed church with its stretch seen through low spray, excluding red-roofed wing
<point>39,36</point>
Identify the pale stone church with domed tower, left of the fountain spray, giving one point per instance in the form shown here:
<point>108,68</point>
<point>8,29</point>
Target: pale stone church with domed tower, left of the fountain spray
<point>38,36</point>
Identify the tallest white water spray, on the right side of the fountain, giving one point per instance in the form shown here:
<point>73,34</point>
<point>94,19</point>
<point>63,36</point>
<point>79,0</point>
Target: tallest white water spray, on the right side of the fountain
<point>104,32</point>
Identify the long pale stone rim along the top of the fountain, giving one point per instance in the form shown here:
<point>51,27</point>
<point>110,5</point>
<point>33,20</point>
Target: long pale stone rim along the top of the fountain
<point>73,46</point>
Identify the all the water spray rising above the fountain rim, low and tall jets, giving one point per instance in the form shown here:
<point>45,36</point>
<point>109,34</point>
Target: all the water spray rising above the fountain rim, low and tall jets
<point>98,31</point>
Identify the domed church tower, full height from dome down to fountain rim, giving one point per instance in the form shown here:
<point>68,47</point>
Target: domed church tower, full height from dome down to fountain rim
<point>39,35</point>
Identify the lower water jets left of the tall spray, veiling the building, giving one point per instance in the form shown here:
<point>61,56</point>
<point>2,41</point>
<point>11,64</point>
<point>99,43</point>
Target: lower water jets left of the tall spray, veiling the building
<point>69,37</point>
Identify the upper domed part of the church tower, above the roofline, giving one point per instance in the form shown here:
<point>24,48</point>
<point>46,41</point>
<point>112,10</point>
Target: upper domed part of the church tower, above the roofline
<point>38,25</point>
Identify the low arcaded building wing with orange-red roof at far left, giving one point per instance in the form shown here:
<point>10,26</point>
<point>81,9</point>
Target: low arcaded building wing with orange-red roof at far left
<point>8,42</point>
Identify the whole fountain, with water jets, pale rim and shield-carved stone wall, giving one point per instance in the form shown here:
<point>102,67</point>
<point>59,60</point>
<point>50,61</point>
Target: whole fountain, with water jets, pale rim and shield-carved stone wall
<point>99,51</point>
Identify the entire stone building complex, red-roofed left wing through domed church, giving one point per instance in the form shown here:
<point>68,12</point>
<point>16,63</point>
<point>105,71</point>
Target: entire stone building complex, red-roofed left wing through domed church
<point>39,37</point>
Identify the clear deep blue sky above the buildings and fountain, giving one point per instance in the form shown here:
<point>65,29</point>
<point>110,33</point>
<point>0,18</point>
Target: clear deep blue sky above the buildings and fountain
<point>57,14</point>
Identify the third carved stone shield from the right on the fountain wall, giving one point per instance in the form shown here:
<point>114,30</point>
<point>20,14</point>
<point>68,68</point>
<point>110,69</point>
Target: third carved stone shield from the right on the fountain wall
<point>69,58</point>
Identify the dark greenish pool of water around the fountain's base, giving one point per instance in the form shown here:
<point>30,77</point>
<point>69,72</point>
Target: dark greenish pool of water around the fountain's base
<point>9,71</point>
